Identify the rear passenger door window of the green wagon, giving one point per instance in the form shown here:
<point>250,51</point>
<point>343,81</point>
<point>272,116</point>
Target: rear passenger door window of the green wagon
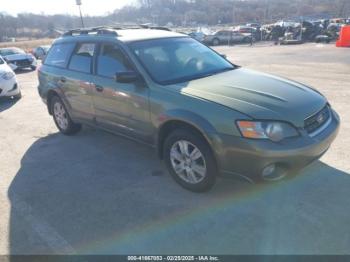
<point>82,58</point>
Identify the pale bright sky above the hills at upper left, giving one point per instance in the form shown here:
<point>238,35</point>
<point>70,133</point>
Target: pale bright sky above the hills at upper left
<point>89,7</point>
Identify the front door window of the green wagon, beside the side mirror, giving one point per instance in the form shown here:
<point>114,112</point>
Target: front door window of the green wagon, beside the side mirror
<point>111,60</point>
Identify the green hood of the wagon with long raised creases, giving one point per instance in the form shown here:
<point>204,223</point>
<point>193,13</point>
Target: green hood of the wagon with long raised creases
<point>258,95</point>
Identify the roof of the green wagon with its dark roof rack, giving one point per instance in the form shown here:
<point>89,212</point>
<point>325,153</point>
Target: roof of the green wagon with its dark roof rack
<point>124,35</point>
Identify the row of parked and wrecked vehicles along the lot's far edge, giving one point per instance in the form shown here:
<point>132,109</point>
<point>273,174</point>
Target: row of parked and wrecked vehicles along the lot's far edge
<point>283,32</point>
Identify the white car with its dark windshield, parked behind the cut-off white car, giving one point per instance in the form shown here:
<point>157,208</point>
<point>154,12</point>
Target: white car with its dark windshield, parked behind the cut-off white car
<point>18,59</point>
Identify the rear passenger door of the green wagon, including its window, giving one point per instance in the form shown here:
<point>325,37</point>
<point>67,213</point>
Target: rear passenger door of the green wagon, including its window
<point>77,81</point>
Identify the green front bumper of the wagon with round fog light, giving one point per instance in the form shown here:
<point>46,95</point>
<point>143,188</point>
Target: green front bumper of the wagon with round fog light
<point>248,158</point>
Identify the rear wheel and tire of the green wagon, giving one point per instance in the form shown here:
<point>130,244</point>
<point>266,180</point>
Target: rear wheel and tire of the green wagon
<point>61,117</point>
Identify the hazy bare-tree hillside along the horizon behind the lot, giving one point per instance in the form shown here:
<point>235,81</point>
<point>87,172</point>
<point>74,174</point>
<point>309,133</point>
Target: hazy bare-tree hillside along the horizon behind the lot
<point>179,13</point>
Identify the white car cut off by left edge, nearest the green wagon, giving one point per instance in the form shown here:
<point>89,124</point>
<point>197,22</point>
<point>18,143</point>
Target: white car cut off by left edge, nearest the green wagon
<point>8,81</point>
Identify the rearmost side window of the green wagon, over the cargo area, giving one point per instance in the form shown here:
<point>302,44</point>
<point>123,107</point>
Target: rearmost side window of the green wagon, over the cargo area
<point>59,55</point>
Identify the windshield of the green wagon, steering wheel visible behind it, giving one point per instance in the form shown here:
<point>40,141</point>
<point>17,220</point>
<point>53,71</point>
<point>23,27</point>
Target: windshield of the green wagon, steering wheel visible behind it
<point>176,60</point>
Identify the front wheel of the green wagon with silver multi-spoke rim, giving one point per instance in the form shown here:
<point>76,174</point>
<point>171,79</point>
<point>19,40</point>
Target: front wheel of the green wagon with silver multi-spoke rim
<point>197,174</point>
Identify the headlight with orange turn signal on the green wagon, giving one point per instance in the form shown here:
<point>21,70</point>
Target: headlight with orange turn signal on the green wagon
<point>274,131</point>
